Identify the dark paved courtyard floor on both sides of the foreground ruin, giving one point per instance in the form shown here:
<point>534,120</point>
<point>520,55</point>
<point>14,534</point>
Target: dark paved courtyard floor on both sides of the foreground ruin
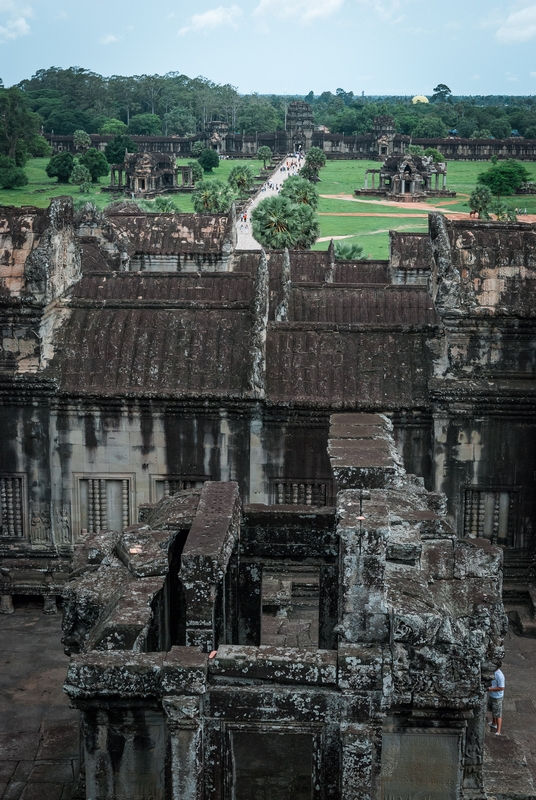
<point>39,732</point>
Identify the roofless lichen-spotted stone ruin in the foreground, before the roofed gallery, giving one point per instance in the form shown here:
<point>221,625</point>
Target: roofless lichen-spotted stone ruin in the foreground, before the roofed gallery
<point>185,692</point>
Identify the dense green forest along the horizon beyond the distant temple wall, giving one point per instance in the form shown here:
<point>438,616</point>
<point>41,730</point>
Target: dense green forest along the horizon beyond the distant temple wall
<point>78,99</point>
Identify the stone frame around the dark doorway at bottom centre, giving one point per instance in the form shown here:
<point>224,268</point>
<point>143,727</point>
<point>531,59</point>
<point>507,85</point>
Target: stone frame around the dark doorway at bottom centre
<point>315,730</point>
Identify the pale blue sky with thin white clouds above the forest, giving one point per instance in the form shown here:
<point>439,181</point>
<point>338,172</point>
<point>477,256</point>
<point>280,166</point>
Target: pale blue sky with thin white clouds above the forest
<point>282,46</point>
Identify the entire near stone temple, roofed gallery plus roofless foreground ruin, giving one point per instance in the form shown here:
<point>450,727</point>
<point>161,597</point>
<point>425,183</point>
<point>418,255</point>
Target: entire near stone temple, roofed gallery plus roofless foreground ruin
<point>285,498</point>
